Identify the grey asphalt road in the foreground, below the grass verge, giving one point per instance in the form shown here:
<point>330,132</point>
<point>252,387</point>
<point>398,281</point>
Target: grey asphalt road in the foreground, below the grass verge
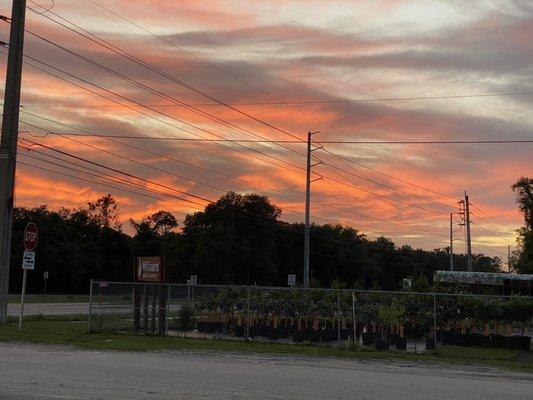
<point>43,372</point>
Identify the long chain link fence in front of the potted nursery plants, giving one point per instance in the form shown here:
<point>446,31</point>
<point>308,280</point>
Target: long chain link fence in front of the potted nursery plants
<point>407,321</point>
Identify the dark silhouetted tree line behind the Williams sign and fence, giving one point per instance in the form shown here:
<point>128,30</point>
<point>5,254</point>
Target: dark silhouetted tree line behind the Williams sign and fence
<point>239,239</point>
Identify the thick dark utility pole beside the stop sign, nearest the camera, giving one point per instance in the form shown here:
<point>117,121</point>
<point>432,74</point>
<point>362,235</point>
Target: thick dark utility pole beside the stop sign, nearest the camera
<point>8,146</point>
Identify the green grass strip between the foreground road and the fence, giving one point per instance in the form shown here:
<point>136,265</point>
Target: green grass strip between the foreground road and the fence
<point>72,331</point>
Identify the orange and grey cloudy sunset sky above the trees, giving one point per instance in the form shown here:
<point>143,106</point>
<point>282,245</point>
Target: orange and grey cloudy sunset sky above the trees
<point>146,72</point>
